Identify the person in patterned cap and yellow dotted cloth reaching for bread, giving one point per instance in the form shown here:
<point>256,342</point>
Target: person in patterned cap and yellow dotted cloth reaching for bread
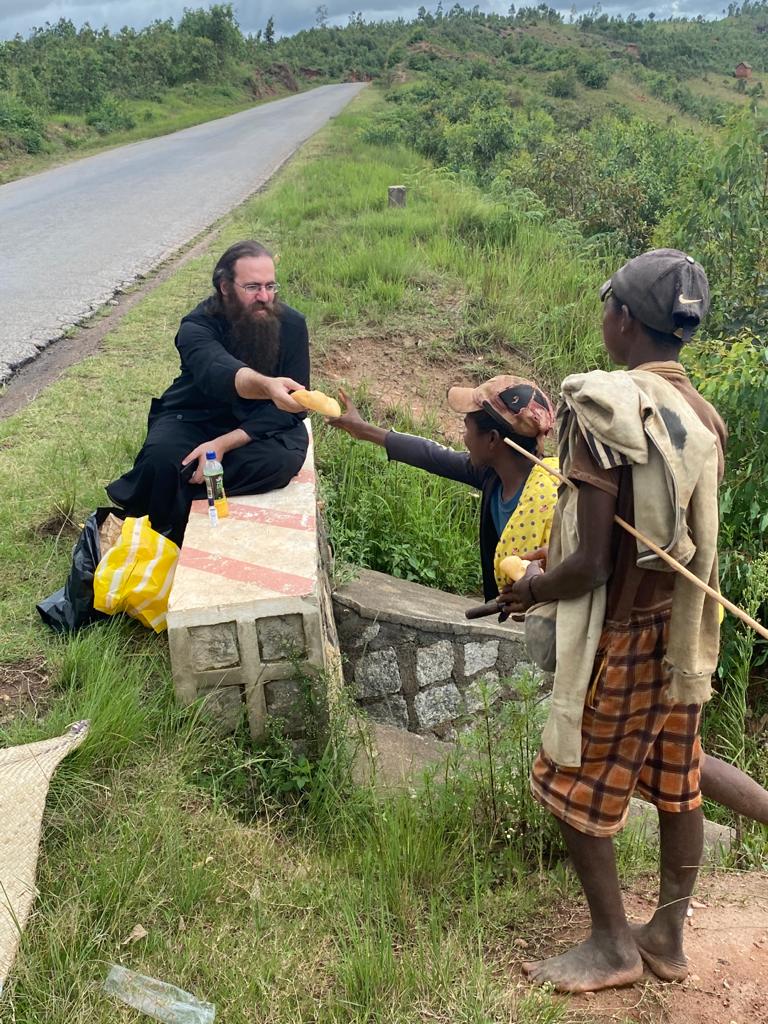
<point>519,498</point>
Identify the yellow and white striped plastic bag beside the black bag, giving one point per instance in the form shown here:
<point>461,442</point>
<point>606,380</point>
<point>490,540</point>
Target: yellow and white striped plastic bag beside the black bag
<point>136,576</point>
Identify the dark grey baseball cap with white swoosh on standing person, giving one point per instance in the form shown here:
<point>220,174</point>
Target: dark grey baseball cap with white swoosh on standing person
<point>665,289</point>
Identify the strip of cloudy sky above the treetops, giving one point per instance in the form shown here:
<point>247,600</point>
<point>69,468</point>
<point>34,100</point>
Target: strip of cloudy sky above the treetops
<point>290,16</point>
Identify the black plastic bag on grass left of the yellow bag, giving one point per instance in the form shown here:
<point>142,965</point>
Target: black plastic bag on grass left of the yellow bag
<point>72,608</point>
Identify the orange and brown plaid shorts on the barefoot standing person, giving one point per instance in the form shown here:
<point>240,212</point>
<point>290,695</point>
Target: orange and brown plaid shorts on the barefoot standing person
<point>633,742</point>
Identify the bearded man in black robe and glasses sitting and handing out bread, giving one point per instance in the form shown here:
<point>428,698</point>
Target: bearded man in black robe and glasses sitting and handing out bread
<point>242,354</point>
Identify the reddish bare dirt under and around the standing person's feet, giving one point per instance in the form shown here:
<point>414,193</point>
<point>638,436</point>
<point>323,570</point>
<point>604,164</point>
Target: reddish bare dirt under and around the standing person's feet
<point>728,948</point>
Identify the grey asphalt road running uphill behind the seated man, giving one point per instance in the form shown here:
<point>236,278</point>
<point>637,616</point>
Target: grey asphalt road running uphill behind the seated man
<point>70,238</point>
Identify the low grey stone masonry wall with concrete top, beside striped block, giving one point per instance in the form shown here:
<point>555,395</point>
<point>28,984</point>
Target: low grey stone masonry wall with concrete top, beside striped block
<point>412,660</point>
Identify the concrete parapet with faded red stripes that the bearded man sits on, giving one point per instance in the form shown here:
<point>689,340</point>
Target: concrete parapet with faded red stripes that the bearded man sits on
<point>251,598</point>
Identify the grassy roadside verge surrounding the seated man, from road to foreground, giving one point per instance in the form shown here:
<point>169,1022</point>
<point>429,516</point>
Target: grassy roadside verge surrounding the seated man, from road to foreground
<point>342,906</point>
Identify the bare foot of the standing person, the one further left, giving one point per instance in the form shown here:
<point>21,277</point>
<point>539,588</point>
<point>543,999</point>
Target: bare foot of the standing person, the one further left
<point>588,968</point>
